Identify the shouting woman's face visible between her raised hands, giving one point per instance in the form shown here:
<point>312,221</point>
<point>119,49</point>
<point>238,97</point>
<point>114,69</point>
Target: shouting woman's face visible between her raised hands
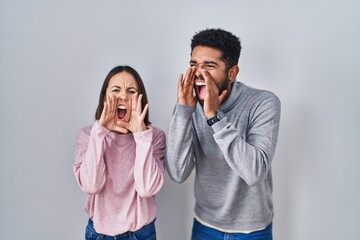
<point>123,86</point>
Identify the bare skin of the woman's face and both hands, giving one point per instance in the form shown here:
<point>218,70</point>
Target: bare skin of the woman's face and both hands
<point>123,90</point>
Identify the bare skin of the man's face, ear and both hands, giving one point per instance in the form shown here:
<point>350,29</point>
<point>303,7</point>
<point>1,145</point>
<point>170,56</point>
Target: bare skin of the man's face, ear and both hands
<point>206,66</point>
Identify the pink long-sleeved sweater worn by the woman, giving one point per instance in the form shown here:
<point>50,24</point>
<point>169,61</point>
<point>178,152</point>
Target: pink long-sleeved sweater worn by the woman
<point>121,175</point>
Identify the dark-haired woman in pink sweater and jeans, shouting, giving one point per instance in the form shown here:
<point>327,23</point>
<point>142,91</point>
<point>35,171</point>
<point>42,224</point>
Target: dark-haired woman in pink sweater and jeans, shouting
<point>119,161</point>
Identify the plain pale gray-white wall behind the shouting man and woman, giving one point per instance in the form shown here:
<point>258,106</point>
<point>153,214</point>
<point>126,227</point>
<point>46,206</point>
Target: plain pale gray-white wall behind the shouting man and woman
<point>54,56</point>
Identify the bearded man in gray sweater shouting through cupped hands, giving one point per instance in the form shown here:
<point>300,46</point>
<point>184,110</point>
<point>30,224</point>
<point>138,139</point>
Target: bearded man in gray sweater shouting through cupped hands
<point>228,133</point>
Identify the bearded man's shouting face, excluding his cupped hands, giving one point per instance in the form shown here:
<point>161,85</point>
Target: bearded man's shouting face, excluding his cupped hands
<point>209,59</point>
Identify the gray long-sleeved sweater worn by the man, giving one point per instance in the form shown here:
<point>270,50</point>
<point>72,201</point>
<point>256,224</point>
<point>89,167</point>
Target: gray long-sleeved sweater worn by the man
<point>232,158</point>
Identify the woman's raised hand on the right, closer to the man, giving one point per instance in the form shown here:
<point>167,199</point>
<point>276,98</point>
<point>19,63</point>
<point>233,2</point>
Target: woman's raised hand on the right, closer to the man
<point>136,122</point>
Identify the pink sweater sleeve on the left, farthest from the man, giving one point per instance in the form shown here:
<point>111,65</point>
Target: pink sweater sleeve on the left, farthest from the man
<point>89,167</point>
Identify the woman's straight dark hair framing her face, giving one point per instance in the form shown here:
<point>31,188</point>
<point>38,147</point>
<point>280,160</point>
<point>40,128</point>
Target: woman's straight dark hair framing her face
<point>139,82</point>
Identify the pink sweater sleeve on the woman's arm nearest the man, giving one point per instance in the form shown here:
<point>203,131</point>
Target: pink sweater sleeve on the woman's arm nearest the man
<point>149,161</point>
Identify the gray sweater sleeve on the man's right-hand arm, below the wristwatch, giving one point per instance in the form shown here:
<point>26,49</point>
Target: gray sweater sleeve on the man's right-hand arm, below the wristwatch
<point>251,157</point>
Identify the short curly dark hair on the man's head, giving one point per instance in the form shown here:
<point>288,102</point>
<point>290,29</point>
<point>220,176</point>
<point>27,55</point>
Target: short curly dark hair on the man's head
<point>225,41</point>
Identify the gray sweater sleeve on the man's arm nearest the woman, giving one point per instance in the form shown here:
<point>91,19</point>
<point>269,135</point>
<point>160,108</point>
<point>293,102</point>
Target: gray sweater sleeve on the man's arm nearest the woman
<point>180,154</point>
